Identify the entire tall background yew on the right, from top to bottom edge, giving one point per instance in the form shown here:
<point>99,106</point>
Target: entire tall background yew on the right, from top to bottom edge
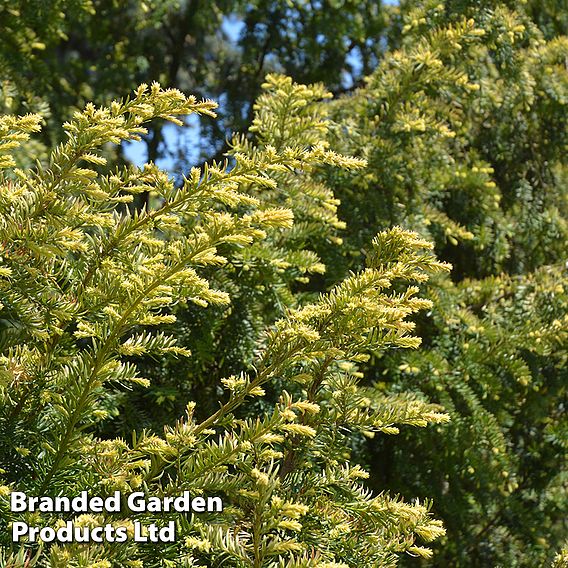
<point>465,133</point>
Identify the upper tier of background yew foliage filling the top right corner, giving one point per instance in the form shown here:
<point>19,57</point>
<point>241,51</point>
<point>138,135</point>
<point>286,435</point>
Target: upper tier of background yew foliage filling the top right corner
<point>464,129</point>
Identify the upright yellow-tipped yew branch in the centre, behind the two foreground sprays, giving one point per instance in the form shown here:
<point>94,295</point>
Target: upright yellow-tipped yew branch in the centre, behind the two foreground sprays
<point>263,279</point>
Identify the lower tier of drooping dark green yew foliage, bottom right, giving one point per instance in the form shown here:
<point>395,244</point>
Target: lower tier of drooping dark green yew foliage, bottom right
<point>498,359</point>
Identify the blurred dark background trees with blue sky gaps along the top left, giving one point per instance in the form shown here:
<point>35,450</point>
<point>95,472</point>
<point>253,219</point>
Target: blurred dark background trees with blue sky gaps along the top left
<point>66,54</point>
